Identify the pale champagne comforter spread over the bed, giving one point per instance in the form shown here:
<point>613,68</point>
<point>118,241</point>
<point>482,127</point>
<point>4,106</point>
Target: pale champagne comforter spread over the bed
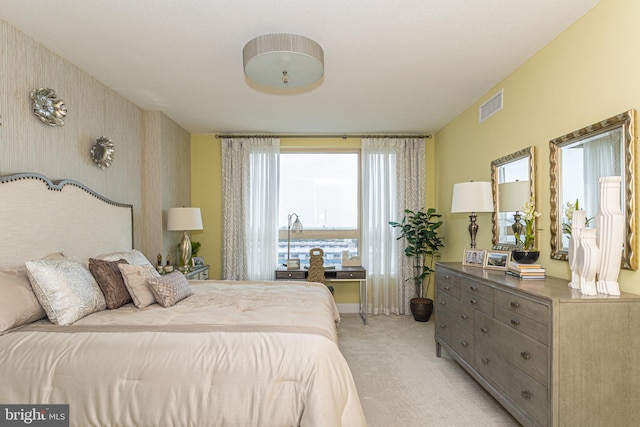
<point>233,354</point>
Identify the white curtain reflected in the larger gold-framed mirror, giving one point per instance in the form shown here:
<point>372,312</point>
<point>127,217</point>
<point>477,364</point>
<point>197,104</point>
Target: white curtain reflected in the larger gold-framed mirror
<point>601,157</point>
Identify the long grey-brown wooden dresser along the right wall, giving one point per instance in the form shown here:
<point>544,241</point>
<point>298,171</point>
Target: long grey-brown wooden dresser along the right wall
<point>548,354</point>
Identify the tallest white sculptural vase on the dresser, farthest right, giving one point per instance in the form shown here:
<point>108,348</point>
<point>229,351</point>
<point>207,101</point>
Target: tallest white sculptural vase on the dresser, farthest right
<point>610,226</point>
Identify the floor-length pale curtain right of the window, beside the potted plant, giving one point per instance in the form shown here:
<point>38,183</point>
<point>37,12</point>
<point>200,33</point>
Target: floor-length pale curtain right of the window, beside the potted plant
<point>393,179</point>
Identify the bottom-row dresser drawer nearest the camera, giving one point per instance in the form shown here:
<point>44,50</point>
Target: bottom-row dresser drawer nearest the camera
<point>519,388</point>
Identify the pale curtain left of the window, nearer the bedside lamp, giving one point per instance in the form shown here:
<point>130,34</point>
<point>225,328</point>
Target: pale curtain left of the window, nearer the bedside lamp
<point>250,178</point>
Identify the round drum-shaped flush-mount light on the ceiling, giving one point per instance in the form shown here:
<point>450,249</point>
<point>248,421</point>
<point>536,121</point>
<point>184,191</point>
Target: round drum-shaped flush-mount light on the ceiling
<point>283,60</point>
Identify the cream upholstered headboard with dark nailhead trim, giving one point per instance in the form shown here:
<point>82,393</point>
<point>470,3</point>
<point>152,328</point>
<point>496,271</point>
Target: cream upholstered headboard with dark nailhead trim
<point>39,216</point>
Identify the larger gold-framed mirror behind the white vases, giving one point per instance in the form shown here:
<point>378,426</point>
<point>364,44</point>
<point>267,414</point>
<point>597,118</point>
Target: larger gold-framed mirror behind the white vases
<point>577,160</point>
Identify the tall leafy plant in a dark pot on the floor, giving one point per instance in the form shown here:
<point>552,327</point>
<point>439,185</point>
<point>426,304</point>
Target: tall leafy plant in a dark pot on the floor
<point>420,232</point>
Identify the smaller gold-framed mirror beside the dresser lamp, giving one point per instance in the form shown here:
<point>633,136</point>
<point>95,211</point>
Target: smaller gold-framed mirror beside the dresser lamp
<point>513,180</point>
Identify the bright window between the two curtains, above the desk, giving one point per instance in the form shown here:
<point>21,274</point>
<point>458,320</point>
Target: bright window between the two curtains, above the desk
<point>323,189</point>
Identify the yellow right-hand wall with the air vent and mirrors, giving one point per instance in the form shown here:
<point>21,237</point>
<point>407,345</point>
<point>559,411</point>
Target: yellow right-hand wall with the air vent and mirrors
<point>588,73</point>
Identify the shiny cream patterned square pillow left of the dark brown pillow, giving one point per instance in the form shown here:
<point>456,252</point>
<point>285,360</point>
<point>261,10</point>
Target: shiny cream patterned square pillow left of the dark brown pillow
<point>66,290</point>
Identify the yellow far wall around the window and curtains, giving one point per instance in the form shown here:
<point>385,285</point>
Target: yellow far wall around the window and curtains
<point>206,193</point>
